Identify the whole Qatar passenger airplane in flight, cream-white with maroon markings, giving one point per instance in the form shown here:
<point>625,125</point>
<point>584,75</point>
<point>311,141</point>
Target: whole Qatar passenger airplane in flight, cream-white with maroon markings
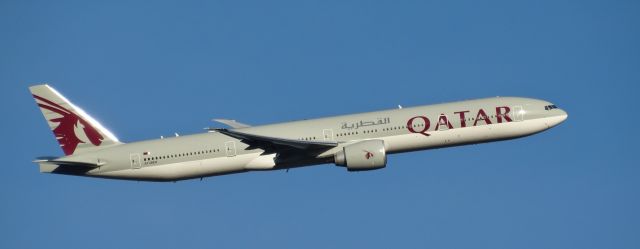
<point>357,142</point>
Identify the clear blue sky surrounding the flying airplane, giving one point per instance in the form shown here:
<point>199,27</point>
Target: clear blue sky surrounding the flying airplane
<point>150,69</point>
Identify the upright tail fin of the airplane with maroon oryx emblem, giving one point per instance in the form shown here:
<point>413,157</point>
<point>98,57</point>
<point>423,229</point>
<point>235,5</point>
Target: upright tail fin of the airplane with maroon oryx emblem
<point>74,129</point>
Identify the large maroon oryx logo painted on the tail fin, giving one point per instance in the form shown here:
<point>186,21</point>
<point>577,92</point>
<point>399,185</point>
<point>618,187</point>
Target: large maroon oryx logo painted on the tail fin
<point>65,131</point>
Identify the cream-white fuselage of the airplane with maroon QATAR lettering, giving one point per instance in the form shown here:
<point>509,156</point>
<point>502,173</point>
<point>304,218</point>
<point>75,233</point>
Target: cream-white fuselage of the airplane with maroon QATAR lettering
<point>402,130</point>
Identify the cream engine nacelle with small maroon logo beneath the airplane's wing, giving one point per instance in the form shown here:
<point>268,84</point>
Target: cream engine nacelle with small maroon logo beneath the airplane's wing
<point>365,155</point>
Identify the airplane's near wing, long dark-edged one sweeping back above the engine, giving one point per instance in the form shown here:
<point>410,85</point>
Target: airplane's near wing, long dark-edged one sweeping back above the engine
<point>266,142</point>
